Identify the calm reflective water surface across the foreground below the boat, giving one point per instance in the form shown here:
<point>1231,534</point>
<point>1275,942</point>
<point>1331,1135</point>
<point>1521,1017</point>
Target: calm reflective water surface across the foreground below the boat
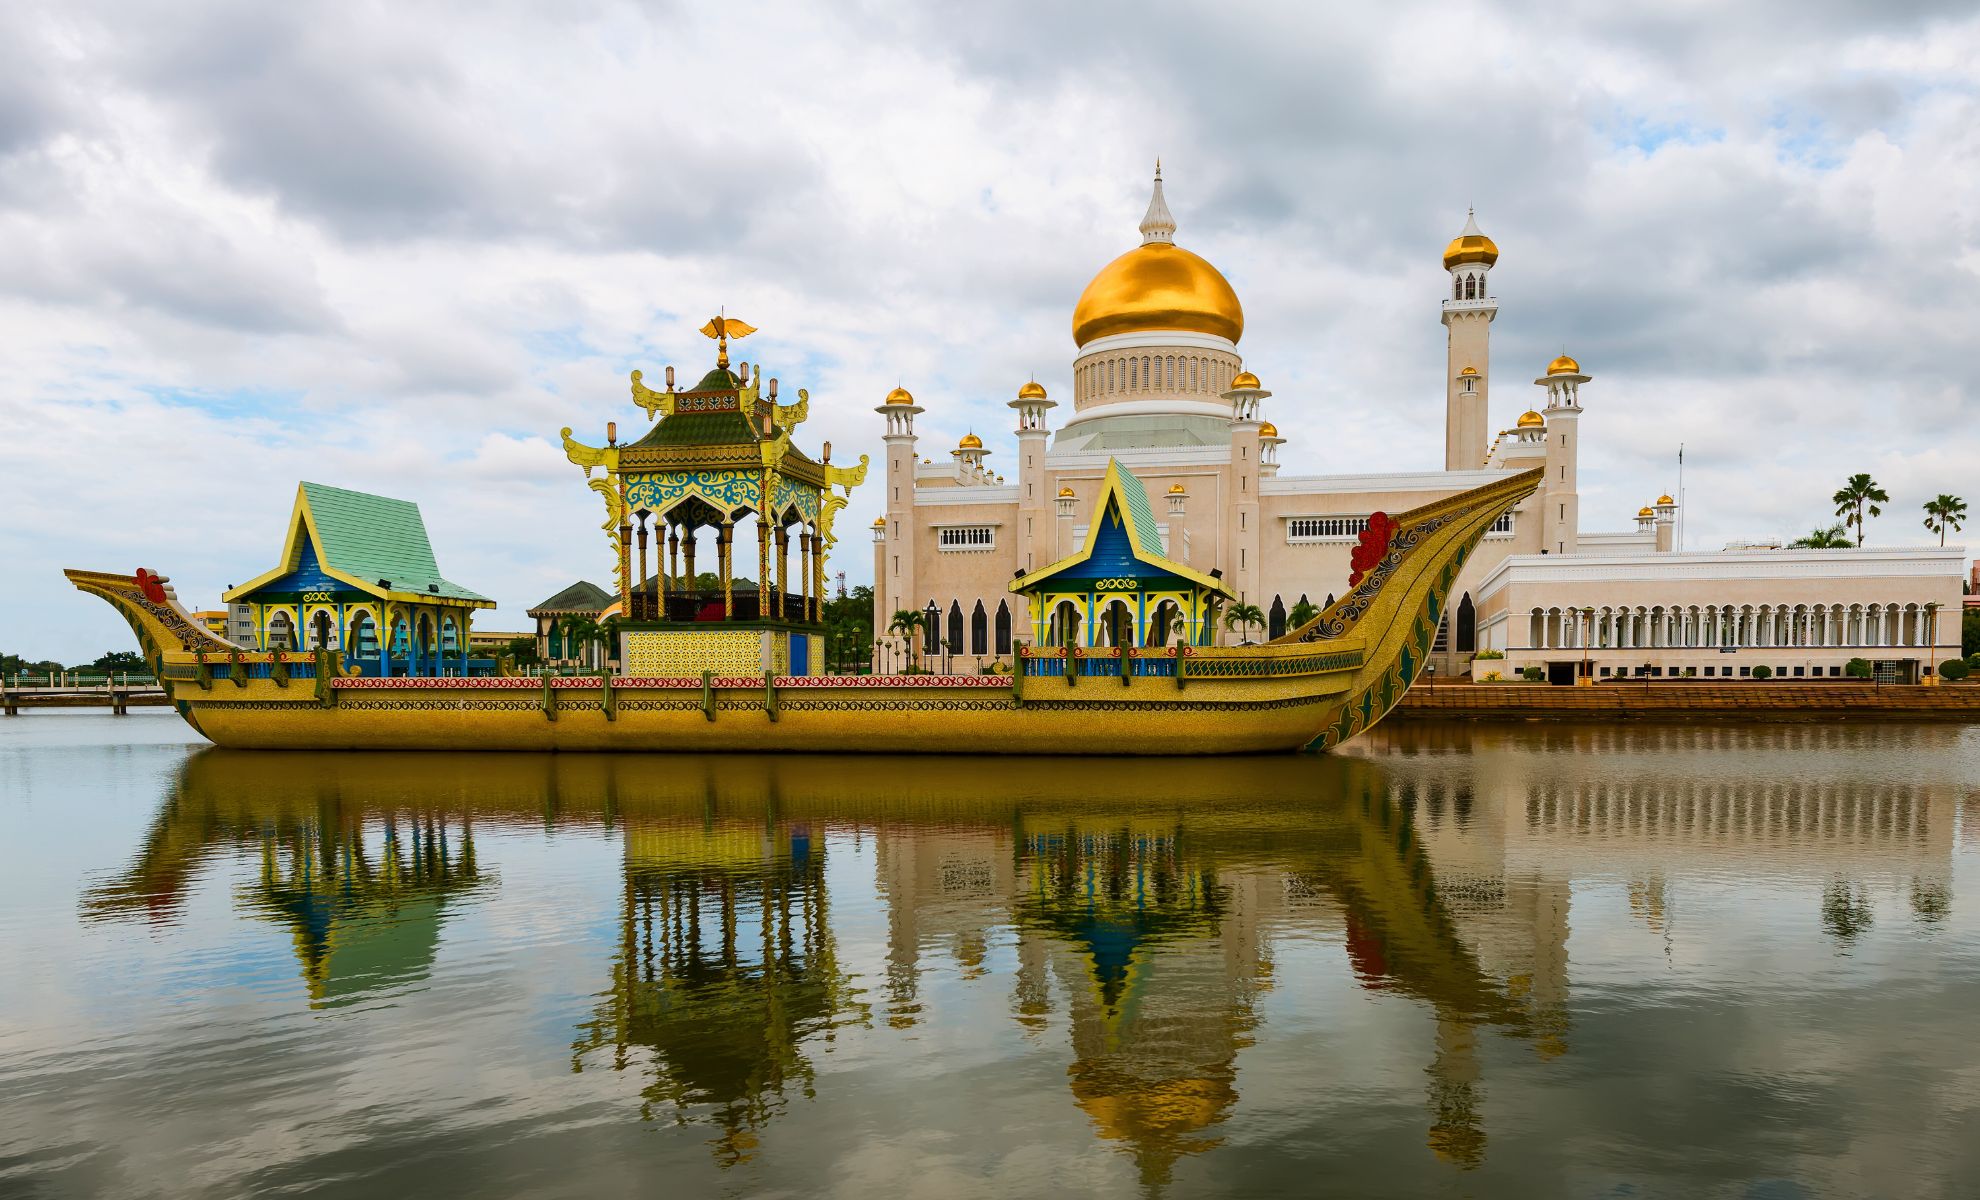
<point>1470,961</point>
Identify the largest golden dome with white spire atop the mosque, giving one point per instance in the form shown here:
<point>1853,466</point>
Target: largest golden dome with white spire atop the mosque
<point>1157,286</point>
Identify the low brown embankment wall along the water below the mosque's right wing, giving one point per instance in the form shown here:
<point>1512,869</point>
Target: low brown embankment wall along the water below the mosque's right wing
<point>1692,702</point>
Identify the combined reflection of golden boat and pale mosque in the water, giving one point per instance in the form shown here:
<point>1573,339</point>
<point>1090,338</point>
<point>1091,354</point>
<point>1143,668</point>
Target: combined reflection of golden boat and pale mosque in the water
<point>1145,902</point>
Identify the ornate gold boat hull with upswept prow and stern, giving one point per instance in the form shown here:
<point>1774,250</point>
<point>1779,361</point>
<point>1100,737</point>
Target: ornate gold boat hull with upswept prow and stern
<point>1314,688</point>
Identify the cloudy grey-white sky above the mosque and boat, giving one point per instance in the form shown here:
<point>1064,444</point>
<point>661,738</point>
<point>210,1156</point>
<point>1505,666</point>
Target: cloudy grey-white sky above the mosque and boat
<point>399,247</point>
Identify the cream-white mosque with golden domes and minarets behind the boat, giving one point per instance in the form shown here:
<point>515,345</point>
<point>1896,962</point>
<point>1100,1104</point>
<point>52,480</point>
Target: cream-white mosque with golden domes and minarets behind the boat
<point>1161,389</point>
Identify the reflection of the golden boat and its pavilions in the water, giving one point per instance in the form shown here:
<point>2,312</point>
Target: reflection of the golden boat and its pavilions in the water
<point>1143,898</point>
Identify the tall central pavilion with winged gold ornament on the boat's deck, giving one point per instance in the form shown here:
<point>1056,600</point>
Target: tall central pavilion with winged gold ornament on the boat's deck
<point>718,468</point>
